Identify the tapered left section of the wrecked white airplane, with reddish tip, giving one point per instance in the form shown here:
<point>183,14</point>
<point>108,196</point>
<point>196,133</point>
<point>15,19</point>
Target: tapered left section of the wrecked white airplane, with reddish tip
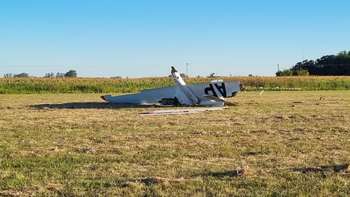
<point>145,96</point>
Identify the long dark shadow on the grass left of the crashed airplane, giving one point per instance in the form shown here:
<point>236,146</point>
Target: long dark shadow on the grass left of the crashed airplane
<point>89,105</point>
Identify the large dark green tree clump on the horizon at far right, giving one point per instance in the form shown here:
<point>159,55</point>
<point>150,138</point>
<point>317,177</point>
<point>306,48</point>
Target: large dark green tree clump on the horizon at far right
<point>326,65</point>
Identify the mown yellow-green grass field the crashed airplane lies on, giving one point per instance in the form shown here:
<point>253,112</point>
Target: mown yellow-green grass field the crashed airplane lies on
<point>76,145</point>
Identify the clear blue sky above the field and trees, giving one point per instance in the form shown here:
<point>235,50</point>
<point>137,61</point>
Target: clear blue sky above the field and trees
<point>143,38</point>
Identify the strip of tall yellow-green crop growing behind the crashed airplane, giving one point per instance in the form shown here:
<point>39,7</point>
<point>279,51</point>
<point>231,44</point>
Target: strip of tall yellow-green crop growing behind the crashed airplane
<point>106,85</point>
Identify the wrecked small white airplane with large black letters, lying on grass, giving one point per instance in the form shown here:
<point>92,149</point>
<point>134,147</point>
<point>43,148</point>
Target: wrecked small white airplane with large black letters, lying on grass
<point>201,94</point>
